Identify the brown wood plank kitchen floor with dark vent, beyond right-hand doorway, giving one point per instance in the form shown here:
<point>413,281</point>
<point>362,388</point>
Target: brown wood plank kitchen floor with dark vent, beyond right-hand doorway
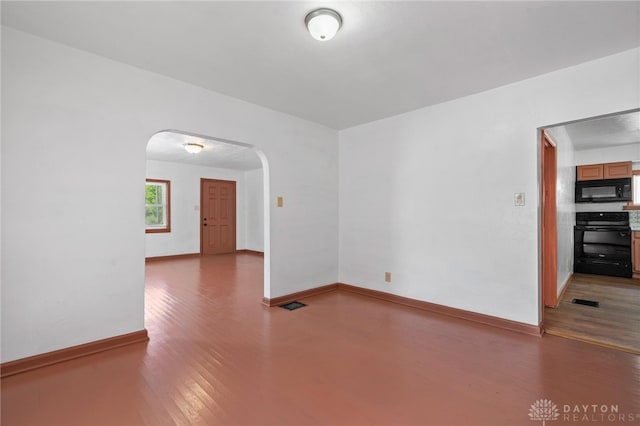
<point>615,323</point>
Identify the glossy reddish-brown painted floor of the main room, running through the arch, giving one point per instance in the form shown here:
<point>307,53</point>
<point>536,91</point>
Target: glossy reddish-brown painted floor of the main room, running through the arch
<point>218,357</point>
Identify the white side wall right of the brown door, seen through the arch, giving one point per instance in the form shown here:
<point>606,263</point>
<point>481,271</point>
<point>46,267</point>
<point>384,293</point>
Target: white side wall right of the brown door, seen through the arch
<point>254,212</point>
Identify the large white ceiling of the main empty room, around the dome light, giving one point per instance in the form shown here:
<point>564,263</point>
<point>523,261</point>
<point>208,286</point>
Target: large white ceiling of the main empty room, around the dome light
<point>388,58</point>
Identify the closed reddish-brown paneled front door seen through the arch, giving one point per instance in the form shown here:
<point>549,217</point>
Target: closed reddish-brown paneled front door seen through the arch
<point>217,216</point>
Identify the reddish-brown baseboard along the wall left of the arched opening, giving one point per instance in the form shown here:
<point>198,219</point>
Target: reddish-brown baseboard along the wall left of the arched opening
<point>42,360</point>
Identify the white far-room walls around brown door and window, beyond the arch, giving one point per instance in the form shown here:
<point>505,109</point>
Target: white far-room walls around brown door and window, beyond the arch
<point>184,237</point>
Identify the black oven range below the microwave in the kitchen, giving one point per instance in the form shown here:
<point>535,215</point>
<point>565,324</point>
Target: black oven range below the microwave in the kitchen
<point>602,244</point>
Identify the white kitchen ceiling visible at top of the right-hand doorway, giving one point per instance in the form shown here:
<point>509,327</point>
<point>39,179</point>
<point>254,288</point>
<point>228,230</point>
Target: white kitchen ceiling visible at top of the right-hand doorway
<point>600,132</point>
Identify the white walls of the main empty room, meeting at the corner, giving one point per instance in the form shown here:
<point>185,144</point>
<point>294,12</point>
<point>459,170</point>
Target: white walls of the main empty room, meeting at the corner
<point>427,195</point>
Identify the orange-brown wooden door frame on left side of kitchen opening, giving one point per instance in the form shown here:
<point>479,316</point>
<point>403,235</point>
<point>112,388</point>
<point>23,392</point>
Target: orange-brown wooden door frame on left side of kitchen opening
<point>548,224</point>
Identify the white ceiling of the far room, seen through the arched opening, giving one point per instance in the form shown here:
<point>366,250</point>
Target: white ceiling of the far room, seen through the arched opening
<point>169,146</point>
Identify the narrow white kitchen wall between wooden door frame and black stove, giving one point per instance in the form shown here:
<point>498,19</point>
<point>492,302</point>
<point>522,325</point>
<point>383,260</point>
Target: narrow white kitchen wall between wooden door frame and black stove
<point>565,203</point>
